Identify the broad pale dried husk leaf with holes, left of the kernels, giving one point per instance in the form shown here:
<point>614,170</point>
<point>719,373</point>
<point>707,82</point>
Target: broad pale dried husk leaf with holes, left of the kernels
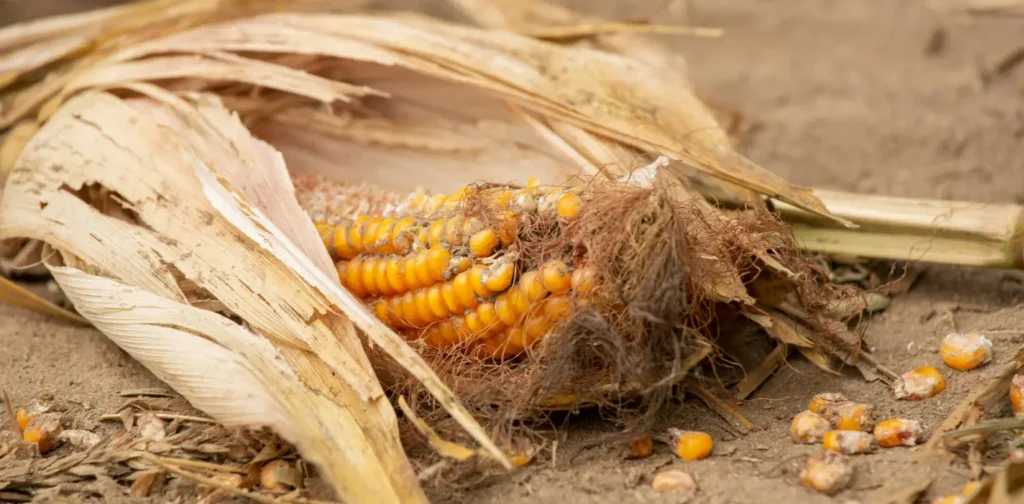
<point>123,147</point>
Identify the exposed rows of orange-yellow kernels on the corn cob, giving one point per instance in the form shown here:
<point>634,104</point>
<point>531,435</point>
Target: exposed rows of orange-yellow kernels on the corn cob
<point>441,276</point>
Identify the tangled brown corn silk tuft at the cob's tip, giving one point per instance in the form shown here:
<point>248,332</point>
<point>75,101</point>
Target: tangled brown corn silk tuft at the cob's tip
<point>670,278</point>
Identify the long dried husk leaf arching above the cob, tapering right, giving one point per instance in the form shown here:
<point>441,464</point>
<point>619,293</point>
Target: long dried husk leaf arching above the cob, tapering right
<point>603,94</point>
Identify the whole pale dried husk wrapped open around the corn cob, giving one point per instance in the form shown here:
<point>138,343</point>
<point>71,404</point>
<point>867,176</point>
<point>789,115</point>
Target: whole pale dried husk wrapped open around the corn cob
<point>159,199</point>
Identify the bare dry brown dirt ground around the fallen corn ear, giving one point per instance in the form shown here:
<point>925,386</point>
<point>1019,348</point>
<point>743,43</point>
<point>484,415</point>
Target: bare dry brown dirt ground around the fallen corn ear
<point>874,96</point>
